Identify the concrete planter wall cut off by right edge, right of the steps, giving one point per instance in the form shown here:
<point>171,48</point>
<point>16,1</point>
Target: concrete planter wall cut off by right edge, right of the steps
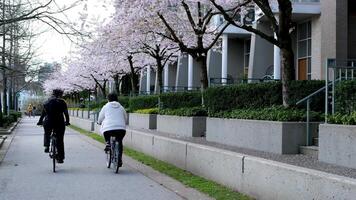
<point>337,144</point>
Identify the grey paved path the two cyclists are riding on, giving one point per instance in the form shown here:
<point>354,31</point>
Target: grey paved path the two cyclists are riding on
<point>26,172</point>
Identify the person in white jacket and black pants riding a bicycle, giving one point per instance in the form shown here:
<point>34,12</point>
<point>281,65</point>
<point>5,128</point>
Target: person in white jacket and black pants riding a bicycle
<point>112,119</point>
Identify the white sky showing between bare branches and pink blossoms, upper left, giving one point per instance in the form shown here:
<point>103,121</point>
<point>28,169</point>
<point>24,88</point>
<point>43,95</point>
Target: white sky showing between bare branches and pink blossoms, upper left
<point>52,46</point>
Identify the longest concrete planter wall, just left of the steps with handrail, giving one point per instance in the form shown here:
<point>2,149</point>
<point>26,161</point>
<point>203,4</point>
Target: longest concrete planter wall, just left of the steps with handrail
<point>268,136</point>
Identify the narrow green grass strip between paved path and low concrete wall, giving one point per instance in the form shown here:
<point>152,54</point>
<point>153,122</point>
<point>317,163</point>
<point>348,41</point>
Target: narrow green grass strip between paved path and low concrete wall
<point>203,185</point>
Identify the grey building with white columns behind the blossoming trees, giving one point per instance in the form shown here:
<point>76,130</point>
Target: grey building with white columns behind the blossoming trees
<point>324,29</point>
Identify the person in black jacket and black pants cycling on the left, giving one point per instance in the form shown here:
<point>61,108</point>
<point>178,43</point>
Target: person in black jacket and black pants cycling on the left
<point>52,119</point>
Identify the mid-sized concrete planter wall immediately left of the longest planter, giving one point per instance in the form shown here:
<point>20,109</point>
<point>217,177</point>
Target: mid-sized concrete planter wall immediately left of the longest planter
<point>182,126</point>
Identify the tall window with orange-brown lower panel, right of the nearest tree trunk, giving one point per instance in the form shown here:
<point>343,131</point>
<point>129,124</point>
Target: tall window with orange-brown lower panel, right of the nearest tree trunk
<point>304,50</point>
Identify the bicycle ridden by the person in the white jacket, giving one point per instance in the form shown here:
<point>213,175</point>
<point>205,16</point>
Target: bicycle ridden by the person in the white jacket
<point>112,155</point>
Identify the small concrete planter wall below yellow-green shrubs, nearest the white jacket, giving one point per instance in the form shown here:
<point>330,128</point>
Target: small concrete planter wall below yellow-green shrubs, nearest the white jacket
<point>145,121</point>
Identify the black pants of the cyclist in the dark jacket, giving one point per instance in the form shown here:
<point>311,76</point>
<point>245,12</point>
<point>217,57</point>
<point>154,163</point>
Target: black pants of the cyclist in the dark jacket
<point>59,135</point>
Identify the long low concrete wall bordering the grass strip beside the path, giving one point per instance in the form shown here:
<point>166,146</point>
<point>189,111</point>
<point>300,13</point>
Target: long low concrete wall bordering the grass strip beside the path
<point>260,178</point>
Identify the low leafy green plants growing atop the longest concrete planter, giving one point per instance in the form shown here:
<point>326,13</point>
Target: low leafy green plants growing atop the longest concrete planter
<point>275,113</point>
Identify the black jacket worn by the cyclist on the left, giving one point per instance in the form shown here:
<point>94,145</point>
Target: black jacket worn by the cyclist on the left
<point>55,109</point>
